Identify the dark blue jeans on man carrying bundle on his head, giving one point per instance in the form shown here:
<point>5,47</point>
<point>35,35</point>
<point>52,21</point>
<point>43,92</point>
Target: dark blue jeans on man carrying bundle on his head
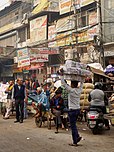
<point>73,115</point>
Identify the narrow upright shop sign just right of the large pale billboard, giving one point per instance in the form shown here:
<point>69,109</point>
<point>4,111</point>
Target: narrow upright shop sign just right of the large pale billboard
<point>52,35</point>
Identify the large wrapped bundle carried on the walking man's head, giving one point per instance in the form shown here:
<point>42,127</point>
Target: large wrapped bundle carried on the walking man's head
<point>75,71</point>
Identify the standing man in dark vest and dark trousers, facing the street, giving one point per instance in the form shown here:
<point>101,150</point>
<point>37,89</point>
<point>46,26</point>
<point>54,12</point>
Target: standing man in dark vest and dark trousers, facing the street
<point>19,96</point>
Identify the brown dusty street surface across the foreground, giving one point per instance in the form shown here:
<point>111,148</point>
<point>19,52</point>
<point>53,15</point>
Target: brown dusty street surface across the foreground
<point>27,137</point>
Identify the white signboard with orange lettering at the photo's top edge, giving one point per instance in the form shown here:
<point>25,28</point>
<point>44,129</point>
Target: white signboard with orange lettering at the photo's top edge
<point>65,6</point>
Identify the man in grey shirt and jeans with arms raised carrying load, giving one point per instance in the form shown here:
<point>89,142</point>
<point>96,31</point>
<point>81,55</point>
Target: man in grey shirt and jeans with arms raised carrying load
<point>74,93</point>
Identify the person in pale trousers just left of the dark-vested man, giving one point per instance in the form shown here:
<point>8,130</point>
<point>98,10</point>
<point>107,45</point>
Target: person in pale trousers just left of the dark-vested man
<point>9,103</point>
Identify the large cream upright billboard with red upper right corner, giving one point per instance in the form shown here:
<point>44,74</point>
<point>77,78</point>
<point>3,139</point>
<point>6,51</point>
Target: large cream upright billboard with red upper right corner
<point>38,29</point>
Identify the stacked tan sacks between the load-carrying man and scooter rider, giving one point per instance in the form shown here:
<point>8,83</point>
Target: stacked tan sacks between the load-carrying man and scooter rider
<point>87,88</point>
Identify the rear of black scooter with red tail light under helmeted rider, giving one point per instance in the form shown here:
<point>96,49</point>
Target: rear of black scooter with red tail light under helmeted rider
<point>95,120</point>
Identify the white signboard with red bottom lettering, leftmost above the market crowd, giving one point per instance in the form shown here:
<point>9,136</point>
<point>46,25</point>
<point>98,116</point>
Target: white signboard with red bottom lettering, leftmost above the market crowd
<point>23,57</point>
